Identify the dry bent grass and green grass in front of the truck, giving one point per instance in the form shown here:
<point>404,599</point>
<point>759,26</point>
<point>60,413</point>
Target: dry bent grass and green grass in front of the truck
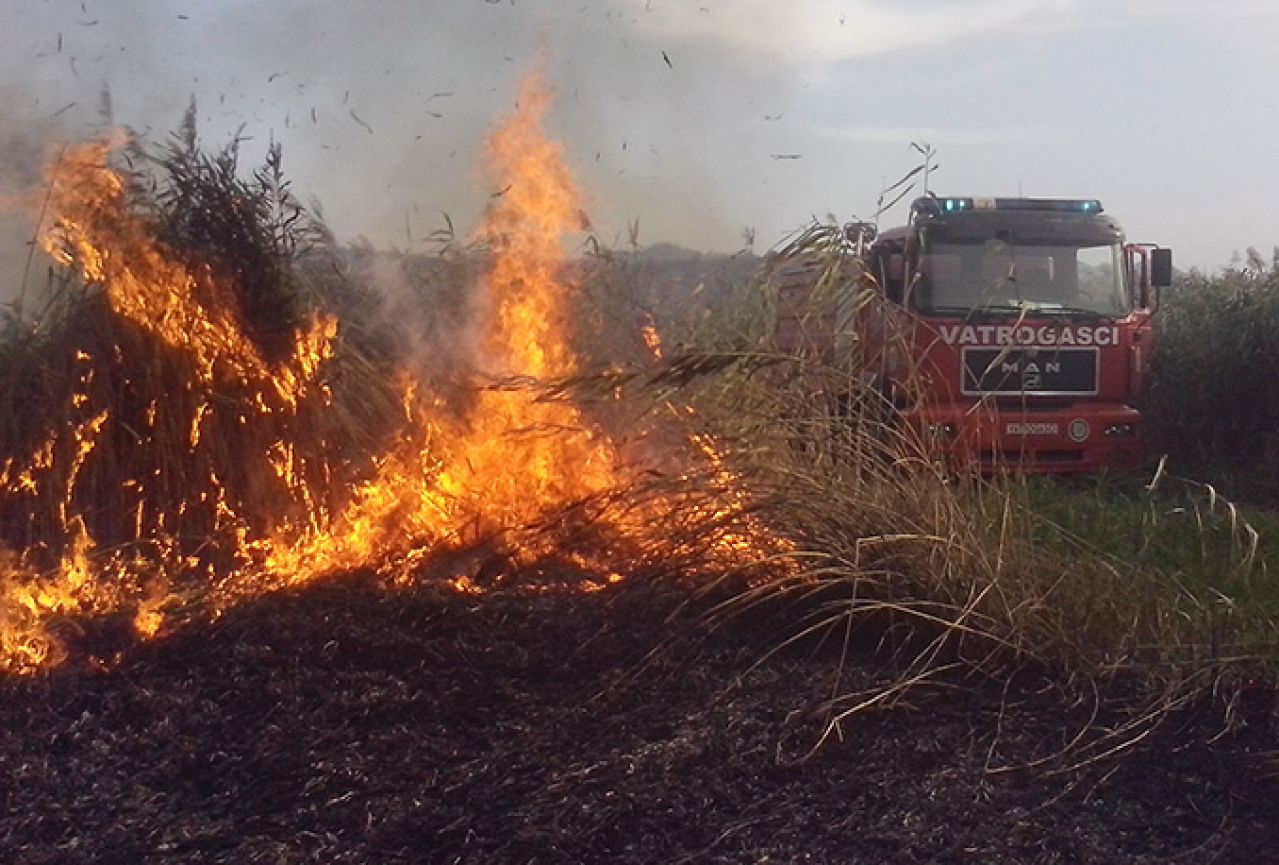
<point>945,575</point>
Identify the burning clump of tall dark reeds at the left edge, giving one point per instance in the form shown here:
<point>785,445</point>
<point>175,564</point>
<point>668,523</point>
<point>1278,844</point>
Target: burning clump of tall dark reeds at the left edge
<point>161,440</point>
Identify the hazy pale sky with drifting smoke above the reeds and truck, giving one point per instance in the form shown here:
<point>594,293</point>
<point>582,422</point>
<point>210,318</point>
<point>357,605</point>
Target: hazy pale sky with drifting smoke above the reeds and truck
<point>676,115</point>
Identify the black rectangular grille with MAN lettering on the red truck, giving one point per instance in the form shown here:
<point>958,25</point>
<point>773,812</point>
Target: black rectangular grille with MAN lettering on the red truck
<point>1042,372</point>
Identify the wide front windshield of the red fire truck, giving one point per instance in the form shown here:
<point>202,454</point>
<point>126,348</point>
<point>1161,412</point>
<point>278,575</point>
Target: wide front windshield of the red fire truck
<point>997,277</point>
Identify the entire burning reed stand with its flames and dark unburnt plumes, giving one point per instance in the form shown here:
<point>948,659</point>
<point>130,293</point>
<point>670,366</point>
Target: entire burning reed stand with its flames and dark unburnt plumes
<point>201,432</point>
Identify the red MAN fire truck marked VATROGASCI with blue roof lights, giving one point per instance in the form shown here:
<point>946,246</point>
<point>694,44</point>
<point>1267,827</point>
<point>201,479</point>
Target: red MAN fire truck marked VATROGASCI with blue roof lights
<point>1006,333</point>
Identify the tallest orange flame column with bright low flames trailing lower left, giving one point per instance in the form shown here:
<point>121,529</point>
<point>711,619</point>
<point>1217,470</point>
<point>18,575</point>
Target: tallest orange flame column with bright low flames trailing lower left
<point>514,456</point>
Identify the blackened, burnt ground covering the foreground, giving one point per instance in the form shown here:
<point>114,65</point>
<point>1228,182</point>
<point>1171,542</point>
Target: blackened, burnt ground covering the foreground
<point>349,724</point>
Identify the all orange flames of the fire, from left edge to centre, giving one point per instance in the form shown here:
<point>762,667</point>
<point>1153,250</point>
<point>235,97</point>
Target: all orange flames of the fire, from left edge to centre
<point>278,504</point>
